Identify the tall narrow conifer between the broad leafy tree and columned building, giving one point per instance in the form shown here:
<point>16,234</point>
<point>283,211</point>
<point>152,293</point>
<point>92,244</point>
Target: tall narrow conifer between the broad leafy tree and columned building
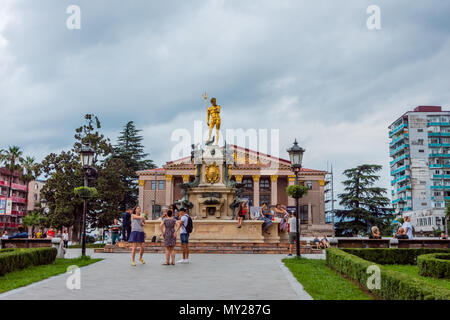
<point>130,151</point>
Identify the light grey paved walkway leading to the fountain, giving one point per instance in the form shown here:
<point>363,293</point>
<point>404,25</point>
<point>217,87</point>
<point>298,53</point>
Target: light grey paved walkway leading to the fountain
<point>208,276</point>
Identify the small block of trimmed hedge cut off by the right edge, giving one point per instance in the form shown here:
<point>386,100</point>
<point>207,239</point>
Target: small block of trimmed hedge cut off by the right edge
<point>435,265</point>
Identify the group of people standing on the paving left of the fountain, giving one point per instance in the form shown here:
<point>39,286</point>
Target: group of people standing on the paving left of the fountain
<point>172,221</point>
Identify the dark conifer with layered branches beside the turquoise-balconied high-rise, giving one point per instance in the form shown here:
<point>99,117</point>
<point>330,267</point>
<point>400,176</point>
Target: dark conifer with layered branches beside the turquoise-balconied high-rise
<point>365,205</point>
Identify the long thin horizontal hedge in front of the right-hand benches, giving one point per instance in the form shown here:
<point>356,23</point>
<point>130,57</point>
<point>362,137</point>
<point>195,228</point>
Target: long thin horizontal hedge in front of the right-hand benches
<point>393,255</point>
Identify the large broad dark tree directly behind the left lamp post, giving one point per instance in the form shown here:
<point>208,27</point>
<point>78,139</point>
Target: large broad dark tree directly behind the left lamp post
<point>65,174</point>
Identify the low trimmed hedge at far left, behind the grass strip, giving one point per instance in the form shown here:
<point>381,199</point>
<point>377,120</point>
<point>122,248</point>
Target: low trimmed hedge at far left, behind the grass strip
<point>22,258</point>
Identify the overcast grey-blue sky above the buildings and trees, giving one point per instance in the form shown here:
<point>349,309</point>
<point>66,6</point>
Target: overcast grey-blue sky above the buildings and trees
<point>311,69</point>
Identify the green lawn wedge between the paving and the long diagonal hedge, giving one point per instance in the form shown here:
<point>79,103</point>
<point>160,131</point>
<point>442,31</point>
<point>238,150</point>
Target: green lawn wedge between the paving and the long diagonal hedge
<point>322,283</point>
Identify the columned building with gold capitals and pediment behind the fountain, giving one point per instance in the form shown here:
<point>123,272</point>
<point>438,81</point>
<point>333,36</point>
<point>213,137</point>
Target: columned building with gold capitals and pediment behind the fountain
<point>265,178</point>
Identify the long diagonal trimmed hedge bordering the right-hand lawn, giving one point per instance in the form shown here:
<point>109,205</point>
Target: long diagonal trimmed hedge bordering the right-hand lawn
<point>394,285</point>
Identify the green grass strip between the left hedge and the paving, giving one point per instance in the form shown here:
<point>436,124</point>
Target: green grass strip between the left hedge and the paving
<point>29,275</point>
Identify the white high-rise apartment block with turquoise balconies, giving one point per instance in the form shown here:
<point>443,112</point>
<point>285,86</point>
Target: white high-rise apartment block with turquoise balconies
<point>420,166</point>
